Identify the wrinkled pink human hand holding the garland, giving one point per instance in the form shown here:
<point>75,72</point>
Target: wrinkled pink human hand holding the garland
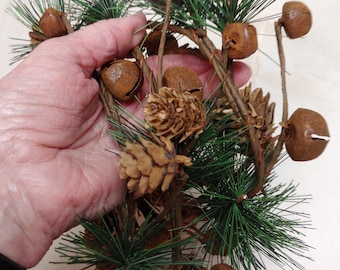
<point>53,160</point>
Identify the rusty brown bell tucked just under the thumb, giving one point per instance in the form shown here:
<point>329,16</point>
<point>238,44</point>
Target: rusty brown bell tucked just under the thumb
<point>123,78</point>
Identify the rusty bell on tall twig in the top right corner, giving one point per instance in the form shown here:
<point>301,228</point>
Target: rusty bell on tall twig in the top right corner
<point>296,19</point>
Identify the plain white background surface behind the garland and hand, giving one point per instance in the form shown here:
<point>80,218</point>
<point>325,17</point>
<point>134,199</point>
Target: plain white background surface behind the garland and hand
<point>314,83</point>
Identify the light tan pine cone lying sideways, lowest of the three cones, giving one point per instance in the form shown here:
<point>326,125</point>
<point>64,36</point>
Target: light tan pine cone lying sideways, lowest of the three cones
<point>147,165</point>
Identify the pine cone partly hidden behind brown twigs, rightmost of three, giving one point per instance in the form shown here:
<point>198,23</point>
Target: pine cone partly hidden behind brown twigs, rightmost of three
<point>261,114</point>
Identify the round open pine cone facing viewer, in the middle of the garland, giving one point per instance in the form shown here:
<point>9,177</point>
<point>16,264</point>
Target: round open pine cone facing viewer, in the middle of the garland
<point>175,114</point>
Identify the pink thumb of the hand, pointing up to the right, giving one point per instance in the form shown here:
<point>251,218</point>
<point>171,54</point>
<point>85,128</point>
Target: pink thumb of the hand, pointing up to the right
<point>95,44</point>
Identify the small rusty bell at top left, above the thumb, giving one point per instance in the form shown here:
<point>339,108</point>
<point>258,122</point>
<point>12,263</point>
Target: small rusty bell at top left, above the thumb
<point>51,23</point>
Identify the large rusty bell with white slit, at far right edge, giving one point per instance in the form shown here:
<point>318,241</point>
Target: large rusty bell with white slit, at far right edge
<point>306,135</point>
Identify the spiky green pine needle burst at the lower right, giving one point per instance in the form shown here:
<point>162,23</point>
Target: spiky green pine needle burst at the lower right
<point>264,226</point>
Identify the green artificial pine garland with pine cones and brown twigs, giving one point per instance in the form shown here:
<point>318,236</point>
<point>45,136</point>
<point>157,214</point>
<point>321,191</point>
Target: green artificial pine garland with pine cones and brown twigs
<point>204,166</point>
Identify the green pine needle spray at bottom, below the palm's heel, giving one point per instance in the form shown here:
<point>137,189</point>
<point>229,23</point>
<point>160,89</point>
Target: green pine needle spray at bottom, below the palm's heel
<point>114,241</point>
